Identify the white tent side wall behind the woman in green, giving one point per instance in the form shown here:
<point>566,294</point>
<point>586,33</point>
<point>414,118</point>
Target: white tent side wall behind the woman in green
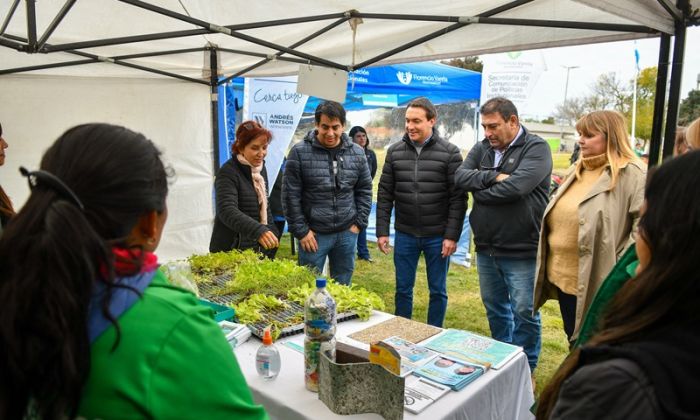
<point>36,110</point>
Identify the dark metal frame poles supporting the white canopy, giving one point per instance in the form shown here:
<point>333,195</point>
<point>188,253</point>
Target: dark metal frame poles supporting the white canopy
<point>33,44</point>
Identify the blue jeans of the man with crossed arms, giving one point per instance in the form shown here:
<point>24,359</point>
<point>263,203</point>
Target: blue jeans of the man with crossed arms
<point>507,290</point>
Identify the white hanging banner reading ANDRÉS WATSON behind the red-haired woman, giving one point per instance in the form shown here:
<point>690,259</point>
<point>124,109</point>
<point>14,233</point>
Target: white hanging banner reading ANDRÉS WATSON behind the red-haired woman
<point>275,104</point>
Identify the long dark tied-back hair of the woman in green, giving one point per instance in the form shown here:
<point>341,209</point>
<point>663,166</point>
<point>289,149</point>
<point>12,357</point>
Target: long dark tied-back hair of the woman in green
<point>118,176</point>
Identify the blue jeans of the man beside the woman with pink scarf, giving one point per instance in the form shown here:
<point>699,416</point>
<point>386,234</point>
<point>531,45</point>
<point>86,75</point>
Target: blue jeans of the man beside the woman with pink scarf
<point>340,249</point>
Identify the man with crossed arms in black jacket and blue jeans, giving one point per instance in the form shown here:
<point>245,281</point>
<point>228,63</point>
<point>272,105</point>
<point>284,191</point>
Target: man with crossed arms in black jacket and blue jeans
<point>508,174</point>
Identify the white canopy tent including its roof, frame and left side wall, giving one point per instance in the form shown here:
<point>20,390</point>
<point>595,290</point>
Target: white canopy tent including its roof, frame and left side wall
<point>152,66</point>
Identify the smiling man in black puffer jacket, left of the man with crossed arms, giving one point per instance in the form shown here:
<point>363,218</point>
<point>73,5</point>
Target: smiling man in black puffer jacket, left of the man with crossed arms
<point>418,181</point>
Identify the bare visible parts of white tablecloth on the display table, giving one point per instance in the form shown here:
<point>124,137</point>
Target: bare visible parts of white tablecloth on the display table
<point>505,393</point>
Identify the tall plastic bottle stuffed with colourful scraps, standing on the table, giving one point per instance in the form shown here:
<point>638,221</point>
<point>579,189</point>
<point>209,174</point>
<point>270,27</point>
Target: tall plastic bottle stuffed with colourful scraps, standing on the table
<point>319,327</point>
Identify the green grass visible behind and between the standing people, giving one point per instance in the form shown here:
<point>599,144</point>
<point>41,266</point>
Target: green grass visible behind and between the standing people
<point>465,310</point>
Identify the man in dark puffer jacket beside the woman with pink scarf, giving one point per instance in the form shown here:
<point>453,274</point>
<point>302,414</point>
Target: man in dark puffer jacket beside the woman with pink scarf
<point>327,194</point>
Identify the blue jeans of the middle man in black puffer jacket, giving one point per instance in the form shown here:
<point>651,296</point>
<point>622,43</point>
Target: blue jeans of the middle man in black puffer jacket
<point>407,250</point>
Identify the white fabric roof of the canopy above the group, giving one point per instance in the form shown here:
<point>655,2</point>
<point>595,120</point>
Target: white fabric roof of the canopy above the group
<point>263,27</point>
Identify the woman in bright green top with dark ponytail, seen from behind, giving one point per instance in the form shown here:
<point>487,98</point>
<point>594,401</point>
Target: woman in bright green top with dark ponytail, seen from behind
<point>90,327</point>
